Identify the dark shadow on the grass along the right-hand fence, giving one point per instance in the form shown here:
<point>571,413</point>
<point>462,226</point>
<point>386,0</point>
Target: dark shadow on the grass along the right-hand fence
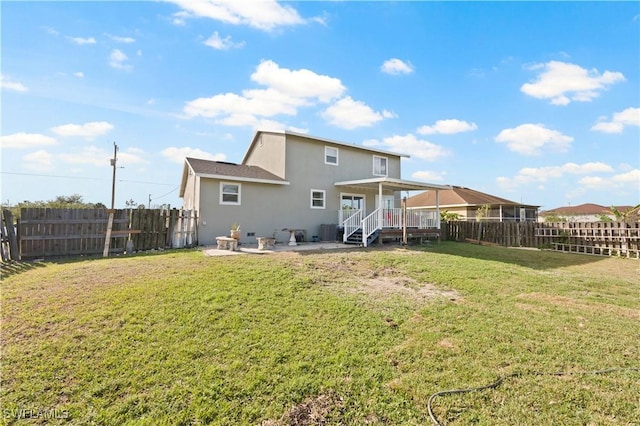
<point>522,256</point>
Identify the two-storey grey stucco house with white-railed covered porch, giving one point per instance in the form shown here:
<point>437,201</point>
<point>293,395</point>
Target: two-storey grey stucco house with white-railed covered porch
<point>294,182</point>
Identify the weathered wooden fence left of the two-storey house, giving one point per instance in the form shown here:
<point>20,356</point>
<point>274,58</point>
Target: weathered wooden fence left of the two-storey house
<point>47,232</point>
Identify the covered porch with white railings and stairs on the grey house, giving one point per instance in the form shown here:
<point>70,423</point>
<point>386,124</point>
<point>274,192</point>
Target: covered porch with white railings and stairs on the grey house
<point>362,227</point>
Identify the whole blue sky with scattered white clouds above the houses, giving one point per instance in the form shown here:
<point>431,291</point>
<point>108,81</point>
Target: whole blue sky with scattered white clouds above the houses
<point>536,102</point>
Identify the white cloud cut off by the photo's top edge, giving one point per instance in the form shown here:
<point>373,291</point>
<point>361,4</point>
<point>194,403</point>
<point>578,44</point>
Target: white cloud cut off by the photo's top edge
<point>265,15</point>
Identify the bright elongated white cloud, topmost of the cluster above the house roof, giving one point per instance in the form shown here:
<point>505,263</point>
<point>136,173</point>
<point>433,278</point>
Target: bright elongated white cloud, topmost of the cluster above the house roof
<point>301,83</point>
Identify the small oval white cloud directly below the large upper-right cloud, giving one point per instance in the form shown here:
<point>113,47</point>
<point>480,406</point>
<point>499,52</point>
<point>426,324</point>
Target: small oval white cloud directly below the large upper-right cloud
<point>530,139</point>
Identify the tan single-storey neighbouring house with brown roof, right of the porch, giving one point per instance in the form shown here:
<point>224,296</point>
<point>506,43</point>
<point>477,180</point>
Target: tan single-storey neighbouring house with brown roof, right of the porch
<point>465,203</point>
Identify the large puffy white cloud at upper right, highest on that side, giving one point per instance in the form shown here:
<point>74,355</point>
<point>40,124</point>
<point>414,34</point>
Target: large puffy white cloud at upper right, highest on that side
<point>563,82</point>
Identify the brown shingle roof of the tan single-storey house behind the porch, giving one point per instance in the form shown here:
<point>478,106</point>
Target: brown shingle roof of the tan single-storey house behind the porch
<point>457,196</point>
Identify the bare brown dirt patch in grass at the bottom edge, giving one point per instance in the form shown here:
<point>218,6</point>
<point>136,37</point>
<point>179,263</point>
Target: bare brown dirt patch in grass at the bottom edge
<point>312,411</point>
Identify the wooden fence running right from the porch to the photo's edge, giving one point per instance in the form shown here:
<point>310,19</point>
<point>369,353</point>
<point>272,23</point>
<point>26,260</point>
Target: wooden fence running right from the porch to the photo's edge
<point>598,238</point>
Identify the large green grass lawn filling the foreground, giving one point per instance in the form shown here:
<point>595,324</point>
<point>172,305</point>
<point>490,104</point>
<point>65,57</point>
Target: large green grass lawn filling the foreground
<point>329,337</point>
